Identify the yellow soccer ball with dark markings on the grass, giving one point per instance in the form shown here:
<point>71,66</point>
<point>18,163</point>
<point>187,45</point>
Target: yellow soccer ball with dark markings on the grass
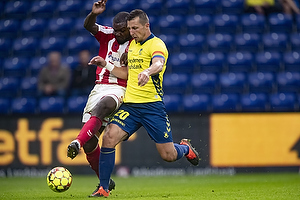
<point>59,179</point>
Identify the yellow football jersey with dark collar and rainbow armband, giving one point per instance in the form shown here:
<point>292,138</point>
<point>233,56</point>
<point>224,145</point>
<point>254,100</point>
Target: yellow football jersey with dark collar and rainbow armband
<point>140,57</point>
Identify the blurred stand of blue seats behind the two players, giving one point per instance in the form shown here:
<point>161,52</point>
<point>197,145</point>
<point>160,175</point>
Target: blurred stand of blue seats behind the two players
<point>221,58</point>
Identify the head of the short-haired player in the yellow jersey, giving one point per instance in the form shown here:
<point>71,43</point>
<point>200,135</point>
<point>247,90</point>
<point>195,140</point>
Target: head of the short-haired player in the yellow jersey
<point>138,25</point>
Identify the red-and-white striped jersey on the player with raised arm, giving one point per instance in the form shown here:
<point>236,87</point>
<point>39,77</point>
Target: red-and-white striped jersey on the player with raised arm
<point>111,51</point>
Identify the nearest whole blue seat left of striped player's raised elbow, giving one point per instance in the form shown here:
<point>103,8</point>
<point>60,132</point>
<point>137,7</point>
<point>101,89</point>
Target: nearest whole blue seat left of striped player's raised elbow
<point>60,26</point>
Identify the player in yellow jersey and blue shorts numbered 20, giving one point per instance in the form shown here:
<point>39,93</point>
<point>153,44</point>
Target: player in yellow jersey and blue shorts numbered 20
<point>143,103</point>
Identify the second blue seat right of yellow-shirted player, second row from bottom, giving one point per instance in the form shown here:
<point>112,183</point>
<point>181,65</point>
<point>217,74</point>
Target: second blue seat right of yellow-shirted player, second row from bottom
<point>204,82</point>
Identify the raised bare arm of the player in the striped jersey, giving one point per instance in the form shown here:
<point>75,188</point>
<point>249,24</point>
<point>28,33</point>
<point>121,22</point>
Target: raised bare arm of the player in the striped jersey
<point>90,20</point>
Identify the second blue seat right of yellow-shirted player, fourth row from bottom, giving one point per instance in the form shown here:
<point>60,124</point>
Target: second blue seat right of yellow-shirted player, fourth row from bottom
<point>191,43</point>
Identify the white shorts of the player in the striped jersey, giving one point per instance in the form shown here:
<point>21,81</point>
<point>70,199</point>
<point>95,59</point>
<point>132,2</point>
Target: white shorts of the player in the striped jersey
<point>99,92</point>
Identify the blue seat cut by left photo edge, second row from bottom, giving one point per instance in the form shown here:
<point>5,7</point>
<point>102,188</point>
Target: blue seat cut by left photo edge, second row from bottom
<point>9,86</point>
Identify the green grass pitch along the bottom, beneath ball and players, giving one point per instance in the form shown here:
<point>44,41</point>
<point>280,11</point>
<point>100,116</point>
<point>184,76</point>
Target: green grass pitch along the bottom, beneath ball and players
<point>216,187</point>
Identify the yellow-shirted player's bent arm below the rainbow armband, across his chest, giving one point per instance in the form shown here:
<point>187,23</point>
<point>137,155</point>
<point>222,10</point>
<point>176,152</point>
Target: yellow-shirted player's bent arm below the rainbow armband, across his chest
<point>155,68</point>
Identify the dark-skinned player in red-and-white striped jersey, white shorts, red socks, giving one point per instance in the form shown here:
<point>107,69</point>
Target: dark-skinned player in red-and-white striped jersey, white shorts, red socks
<point>108,92</point>
